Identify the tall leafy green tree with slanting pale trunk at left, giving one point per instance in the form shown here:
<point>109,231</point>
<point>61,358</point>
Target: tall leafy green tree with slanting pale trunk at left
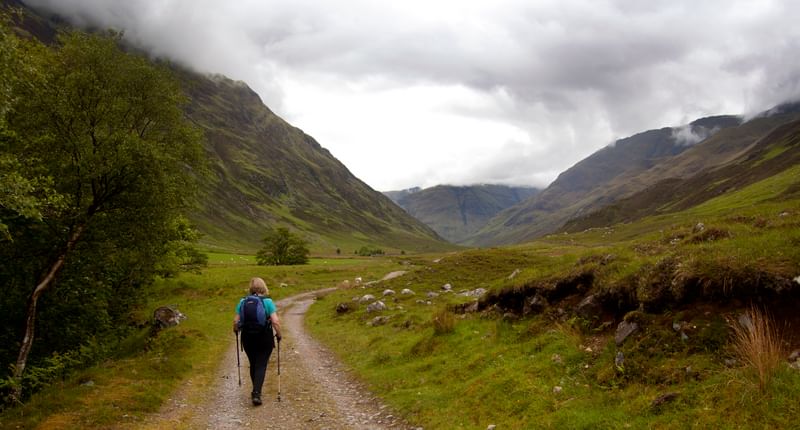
<point>105,130</point>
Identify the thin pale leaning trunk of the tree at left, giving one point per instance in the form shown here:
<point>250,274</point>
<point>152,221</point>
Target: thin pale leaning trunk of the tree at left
<point>30,316</point>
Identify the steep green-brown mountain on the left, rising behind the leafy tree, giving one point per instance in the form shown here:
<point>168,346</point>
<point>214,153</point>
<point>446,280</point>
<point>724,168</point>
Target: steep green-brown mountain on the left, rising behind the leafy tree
<point>266,172</point>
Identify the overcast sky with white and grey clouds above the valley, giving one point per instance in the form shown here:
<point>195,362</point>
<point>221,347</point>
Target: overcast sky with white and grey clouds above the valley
<point>425,92</point>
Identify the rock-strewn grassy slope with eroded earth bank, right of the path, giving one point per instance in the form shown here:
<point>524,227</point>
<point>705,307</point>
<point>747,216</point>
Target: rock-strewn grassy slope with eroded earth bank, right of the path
<point>556,368</point>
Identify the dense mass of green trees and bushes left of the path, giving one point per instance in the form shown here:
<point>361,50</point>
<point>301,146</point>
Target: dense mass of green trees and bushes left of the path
<point>100,165</point>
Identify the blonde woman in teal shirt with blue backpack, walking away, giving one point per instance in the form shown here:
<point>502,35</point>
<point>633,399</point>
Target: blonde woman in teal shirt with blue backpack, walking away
<point>257,335</point>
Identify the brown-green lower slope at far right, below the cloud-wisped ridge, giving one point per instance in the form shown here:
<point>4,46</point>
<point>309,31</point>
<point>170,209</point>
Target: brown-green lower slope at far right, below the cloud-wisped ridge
<point>771,155</point>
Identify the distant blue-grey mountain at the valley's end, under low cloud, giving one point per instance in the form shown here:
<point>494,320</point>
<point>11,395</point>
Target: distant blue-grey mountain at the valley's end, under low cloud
<point>456,212</point>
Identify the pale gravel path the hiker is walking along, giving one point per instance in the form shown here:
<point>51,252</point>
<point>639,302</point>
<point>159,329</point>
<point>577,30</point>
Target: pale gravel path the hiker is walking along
<point>316,391</point>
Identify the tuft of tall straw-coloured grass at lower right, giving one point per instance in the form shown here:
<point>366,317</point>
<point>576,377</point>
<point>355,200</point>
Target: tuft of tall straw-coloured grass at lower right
<point>757,343</point>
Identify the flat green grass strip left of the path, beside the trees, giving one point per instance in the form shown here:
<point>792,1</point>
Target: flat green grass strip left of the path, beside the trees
<point>146,370</point>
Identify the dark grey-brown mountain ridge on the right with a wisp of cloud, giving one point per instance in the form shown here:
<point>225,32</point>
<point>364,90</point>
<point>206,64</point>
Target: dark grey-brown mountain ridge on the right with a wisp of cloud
<point>627,167</point>
